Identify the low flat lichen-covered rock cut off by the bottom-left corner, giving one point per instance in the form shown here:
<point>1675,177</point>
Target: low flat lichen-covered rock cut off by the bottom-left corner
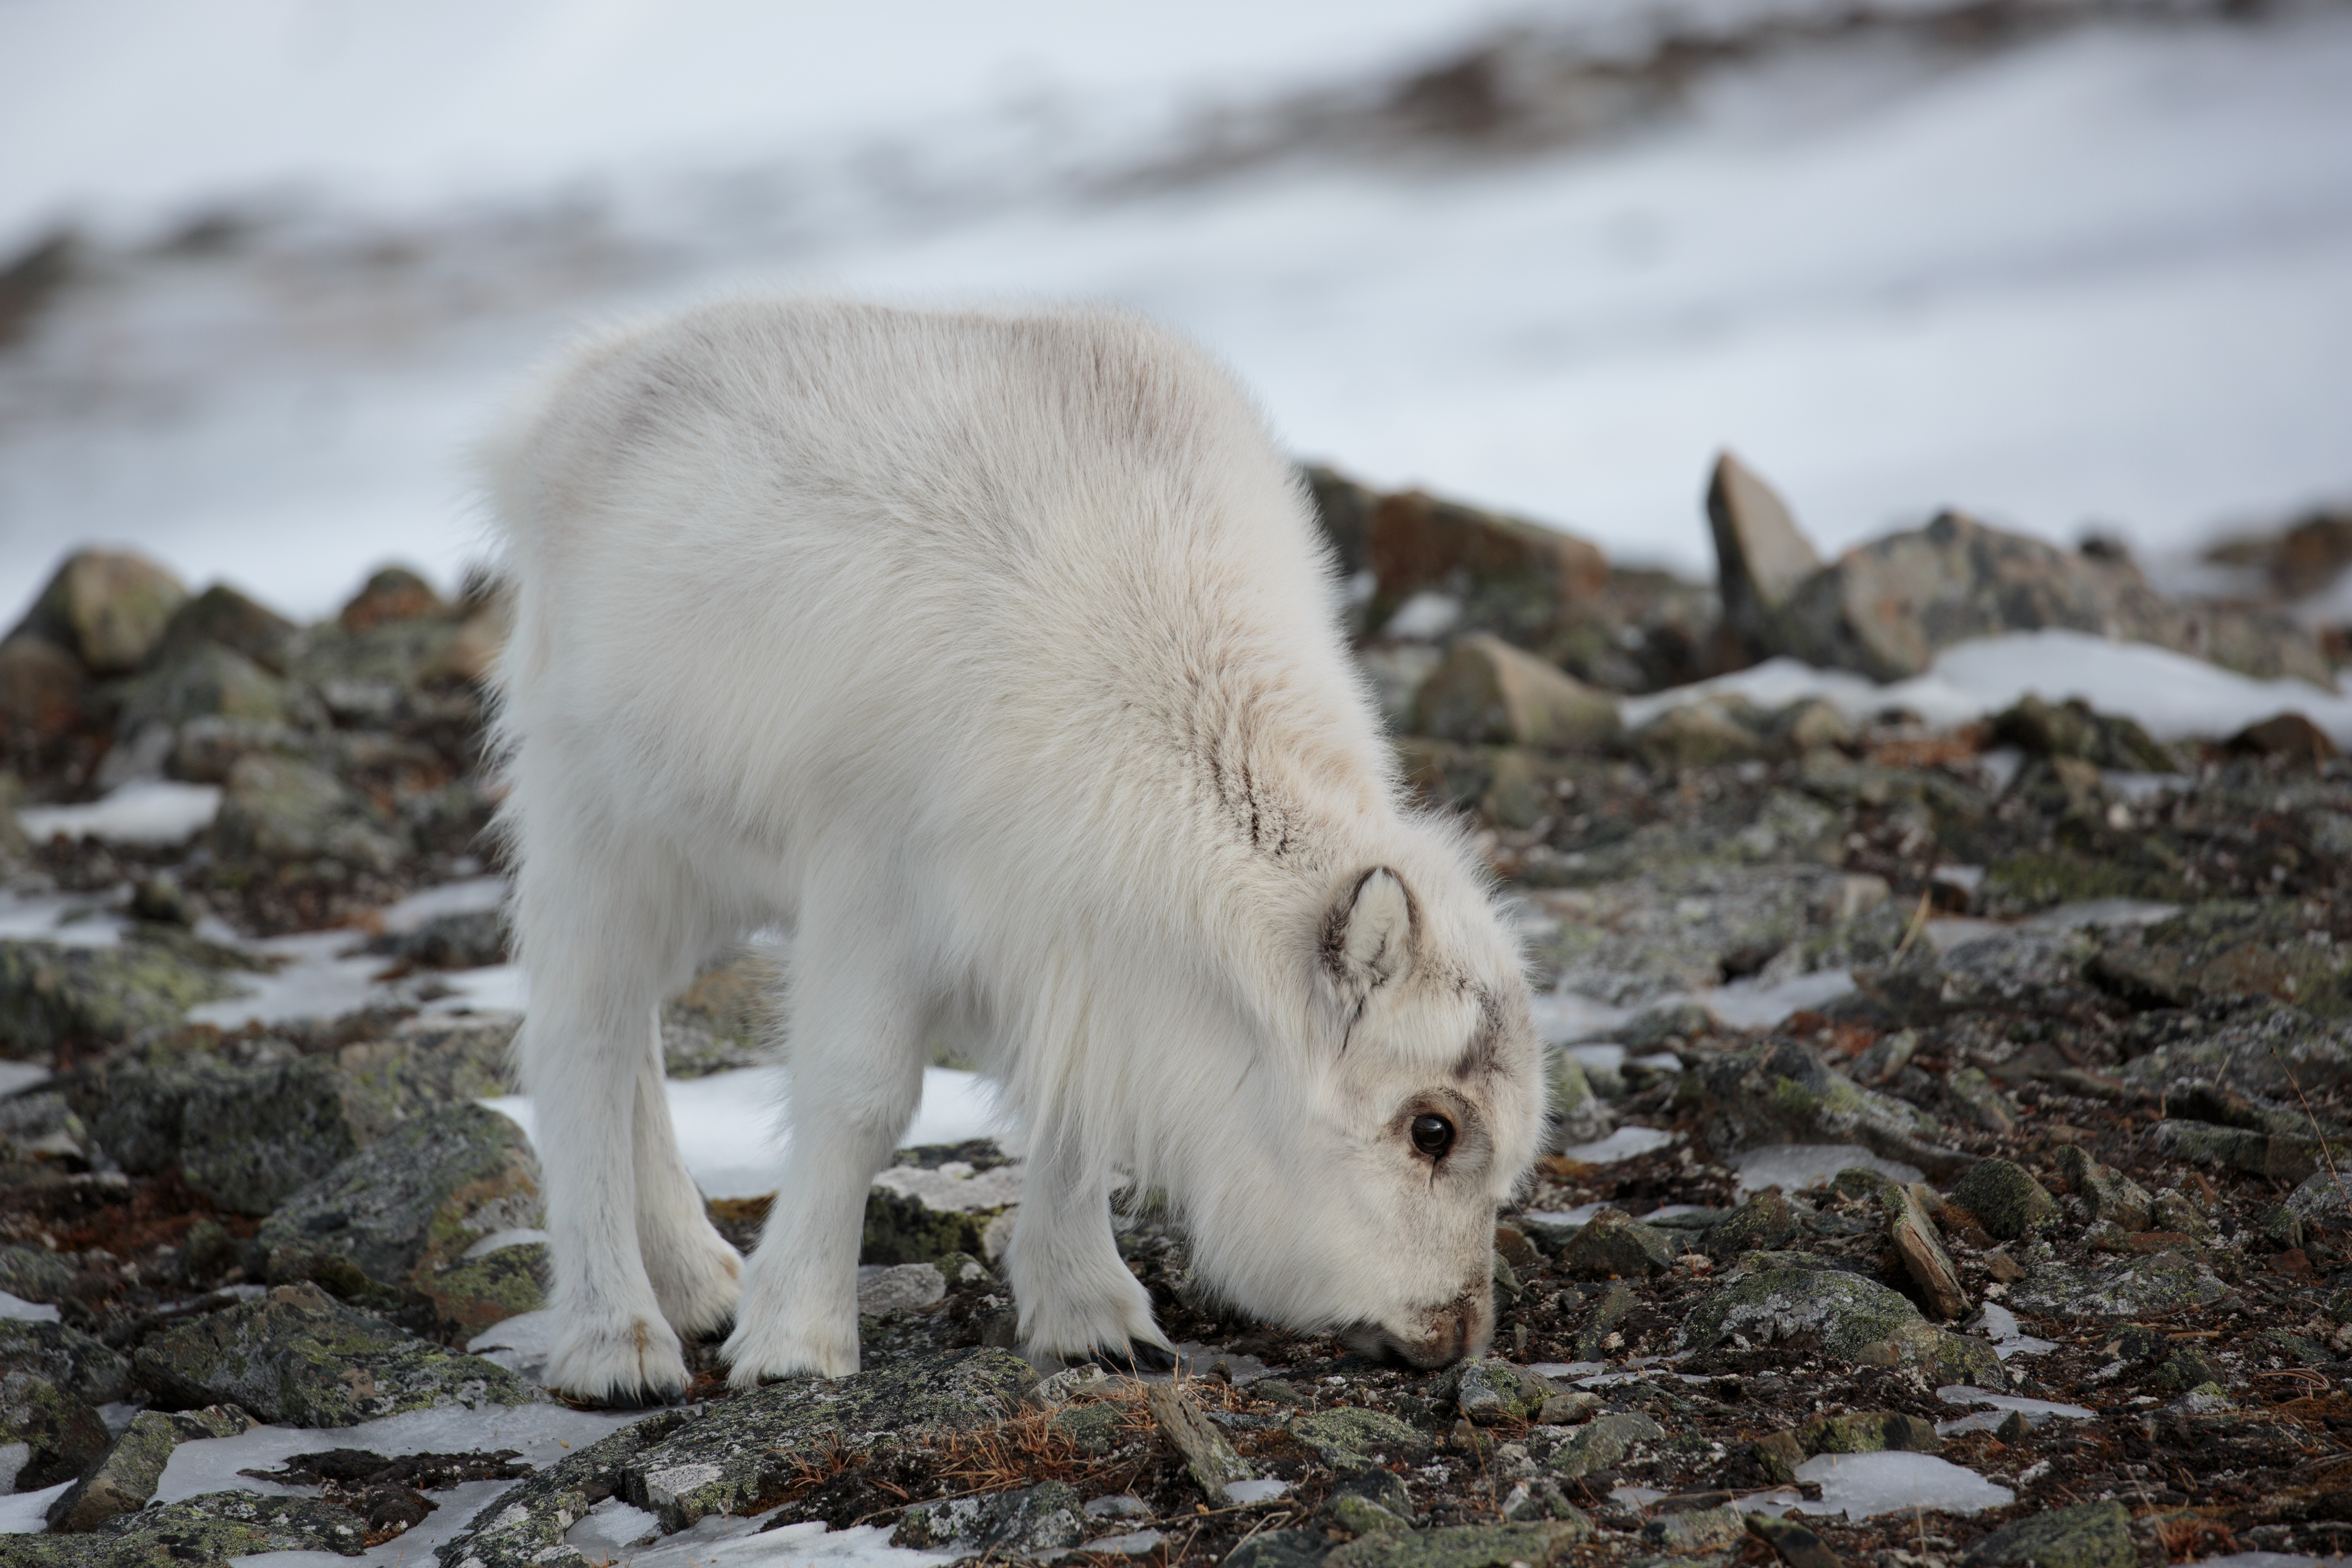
<point>196,1534</point>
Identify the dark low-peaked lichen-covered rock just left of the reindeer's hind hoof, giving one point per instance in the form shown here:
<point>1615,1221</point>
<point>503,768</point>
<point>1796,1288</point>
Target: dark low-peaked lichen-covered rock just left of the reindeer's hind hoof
<point>305,1360</point>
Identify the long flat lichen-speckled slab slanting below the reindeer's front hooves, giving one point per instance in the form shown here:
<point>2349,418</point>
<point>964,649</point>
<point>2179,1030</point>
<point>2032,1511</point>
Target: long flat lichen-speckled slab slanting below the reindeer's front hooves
<point>740,1456</point>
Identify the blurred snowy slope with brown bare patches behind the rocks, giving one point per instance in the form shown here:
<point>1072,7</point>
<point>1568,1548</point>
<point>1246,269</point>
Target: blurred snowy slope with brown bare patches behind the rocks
<point>2073,264</point>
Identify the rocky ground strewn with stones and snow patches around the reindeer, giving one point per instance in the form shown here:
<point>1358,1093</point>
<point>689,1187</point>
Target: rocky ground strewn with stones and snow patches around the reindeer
<point>1944,1170</point>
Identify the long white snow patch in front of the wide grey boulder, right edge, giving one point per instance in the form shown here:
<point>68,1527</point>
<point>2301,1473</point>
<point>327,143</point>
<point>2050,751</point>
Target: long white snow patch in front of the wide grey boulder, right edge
<point>2170,695</point>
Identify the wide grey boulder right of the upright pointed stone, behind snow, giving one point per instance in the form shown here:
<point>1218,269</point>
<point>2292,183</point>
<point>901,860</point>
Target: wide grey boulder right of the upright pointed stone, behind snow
<point>1890,608</point>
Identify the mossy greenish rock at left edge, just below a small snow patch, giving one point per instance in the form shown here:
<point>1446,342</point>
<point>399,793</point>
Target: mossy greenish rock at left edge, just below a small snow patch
<point>93,998</point>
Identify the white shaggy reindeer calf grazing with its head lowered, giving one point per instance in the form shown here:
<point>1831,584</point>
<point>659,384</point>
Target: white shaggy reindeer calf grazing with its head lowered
<point>996,657</point>
